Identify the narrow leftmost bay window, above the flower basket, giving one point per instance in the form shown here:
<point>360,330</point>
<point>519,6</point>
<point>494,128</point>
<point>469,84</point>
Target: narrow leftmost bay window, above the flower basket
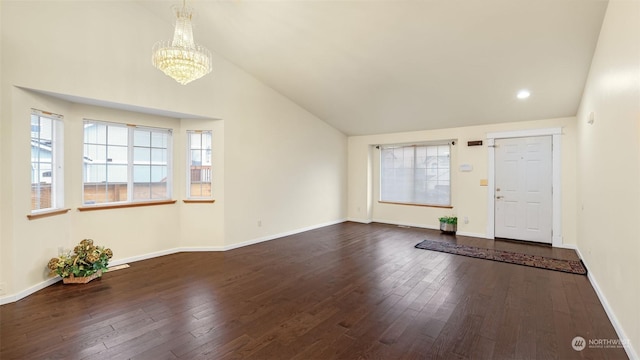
<point>47,181</point>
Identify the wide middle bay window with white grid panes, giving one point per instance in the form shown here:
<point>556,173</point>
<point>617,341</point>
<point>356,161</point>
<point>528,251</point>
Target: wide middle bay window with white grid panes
<point>125,163</point>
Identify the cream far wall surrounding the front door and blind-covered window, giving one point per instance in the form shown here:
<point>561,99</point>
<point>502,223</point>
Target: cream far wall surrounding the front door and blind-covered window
<point>468,197</point>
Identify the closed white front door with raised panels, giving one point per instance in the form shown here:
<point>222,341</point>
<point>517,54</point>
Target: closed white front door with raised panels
<point>523,188</point>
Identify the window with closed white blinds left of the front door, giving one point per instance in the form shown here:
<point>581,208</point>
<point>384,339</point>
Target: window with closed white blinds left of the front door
<point>416,174</point>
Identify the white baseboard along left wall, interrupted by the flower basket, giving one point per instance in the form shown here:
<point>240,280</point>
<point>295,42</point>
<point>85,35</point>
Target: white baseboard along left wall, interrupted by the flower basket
<point>24,293</point>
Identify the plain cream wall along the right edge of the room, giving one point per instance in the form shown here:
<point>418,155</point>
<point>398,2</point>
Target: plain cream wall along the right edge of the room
<point>609,167</point>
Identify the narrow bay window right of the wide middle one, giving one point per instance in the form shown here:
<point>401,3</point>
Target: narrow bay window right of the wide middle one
<point>199,164</point>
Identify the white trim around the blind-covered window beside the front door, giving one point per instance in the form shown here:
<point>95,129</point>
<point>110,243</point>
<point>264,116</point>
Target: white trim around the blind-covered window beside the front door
<point>381,148</point>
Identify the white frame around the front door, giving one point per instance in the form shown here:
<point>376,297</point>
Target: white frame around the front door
<point>556,196</point>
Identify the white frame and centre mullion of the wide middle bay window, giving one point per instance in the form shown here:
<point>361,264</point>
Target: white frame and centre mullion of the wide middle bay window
<point>131,202</point>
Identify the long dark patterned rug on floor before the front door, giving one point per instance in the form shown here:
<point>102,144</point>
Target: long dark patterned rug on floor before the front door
<point>541,262</point>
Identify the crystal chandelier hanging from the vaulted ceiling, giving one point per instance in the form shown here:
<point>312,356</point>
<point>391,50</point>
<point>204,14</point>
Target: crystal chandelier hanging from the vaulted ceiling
<point>182,59</point>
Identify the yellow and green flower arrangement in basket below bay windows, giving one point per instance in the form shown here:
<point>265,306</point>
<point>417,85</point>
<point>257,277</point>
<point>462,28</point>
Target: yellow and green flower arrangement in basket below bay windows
<point>85,263</point>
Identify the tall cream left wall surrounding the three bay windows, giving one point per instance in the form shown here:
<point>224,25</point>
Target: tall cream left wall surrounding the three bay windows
<point>275,161</point>
